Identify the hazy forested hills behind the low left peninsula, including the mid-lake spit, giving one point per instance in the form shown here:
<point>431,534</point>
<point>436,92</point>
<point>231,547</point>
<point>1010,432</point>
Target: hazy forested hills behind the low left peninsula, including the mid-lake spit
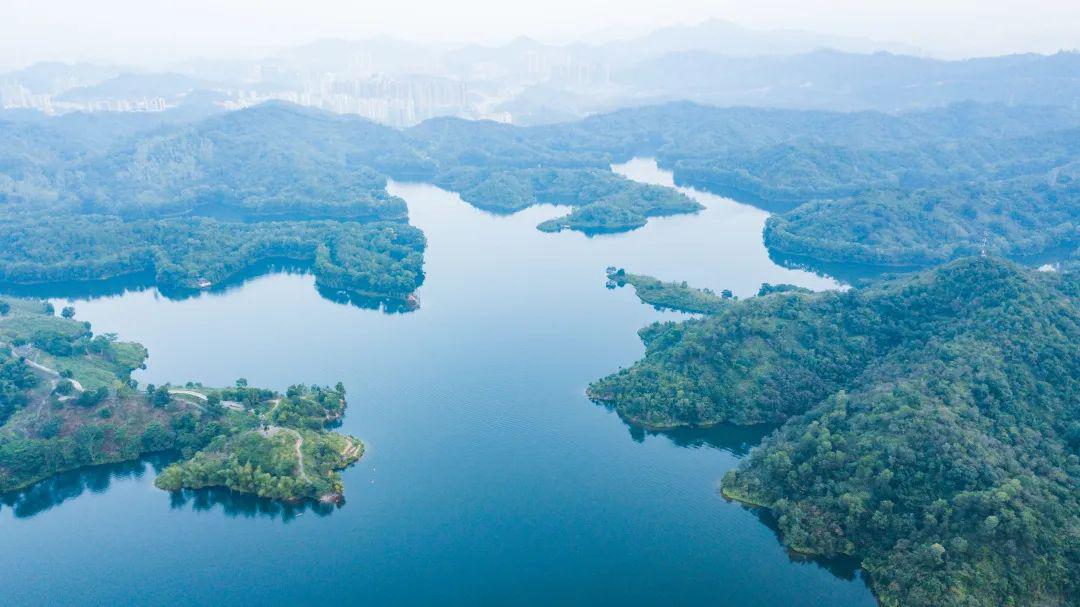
<point>278,161</point>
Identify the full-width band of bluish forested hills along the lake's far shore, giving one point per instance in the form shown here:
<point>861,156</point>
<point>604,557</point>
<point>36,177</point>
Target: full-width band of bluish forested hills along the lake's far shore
<point>872,188</point>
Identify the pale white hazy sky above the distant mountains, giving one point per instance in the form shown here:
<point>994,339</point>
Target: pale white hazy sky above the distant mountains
<point>157,32</point>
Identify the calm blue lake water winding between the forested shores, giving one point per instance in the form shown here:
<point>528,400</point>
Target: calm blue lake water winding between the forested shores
<point>490,479</point>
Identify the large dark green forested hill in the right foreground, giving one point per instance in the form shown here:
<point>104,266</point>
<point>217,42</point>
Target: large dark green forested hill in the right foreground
<point>933,425</point>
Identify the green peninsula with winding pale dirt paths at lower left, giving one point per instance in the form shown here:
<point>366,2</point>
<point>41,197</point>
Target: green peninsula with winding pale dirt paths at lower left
<point>67,401</point>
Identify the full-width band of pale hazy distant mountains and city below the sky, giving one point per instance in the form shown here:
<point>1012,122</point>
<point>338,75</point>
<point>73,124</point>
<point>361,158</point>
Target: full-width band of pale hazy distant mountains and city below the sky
<point>530,83</point>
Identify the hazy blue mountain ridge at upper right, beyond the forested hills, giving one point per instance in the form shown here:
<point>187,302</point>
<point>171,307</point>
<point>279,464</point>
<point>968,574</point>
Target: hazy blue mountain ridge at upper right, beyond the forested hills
<point>849,82</point>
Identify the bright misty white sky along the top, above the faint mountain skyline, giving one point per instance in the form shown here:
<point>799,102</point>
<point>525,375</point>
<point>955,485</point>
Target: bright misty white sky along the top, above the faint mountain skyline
<point>170,37</point>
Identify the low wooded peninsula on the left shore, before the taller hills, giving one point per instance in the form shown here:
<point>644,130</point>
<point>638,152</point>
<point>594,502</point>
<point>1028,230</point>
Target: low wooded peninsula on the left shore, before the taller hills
<point>377,259</point>
